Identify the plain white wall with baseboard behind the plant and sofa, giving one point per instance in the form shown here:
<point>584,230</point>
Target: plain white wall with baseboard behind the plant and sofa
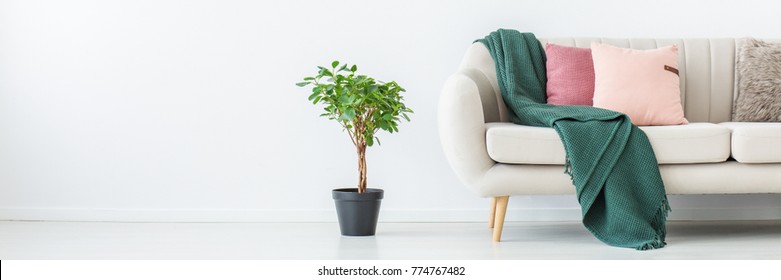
<point>187,110</point>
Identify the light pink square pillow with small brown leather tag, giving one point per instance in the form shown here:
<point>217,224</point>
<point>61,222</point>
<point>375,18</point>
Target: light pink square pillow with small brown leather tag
<point>642,84</point>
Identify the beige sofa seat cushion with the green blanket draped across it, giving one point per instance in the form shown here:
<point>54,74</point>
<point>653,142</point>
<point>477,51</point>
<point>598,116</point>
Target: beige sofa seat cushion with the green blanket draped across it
<point>692,143</point>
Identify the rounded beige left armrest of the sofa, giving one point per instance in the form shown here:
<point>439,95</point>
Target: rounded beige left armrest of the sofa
<point>462,126</point>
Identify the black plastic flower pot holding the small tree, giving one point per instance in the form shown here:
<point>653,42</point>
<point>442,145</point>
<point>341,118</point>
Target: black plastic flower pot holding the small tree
<point>357,212</point>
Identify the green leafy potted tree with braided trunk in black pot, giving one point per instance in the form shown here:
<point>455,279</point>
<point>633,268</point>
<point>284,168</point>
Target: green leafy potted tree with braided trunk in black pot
<point>362,106</point>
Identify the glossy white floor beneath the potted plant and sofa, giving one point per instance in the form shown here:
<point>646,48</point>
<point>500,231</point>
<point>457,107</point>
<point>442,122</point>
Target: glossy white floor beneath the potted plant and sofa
<point>401,241</point>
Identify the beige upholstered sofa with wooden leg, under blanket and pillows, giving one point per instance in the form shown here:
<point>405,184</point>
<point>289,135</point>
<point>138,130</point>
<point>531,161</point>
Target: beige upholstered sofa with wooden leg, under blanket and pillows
<point>712,155</point>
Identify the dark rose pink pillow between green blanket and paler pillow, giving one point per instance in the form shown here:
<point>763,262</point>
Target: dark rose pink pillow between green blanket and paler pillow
<point>570,75</point>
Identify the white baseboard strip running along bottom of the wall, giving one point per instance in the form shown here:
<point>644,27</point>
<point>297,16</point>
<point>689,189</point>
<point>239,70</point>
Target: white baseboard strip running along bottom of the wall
<point>329,215</point>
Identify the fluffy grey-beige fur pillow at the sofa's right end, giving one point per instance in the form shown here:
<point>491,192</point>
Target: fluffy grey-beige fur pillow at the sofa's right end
<point>758,69</point>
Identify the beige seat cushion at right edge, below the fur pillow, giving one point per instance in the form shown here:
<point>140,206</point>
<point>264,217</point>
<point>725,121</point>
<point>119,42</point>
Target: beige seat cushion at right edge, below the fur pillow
<point>755,142</point>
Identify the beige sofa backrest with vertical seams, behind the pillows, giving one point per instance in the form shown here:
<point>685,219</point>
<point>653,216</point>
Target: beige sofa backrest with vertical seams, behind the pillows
<point>706,66</point>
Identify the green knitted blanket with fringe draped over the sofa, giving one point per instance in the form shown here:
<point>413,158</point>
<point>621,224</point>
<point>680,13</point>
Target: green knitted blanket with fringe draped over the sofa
<point>612,164</point>
